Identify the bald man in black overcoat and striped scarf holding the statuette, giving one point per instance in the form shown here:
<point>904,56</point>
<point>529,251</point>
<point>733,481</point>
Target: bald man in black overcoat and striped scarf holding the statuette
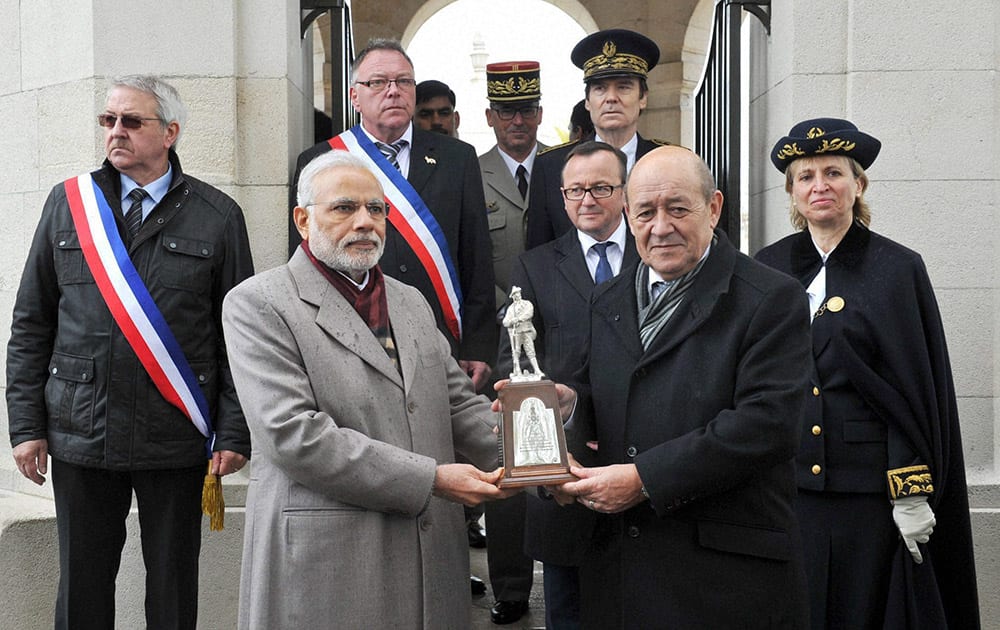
<point>699,359</point>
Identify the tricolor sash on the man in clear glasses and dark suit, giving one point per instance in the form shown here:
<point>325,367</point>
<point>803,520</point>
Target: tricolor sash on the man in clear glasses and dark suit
<point>415,223</point>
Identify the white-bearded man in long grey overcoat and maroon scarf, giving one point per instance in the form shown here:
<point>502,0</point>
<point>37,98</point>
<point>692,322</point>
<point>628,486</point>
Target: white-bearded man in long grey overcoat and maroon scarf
<point>356,411</point>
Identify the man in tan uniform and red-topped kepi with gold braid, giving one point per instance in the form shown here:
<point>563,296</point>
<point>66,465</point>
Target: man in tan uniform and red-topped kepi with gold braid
<point>514,91</point>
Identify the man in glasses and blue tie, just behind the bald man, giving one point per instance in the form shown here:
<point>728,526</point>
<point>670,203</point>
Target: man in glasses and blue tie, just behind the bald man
<point>558,279</point>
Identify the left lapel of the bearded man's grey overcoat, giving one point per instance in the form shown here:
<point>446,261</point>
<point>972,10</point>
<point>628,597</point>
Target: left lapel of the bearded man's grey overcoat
<point>338,318</point>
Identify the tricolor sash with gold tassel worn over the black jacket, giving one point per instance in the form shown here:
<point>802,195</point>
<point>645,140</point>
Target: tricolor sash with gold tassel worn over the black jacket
<point>131,305</point>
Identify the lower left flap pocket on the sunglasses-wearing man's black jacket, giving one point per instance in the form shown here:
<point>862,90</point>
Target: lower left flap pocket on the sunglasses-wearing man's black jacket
<point>69,393</point>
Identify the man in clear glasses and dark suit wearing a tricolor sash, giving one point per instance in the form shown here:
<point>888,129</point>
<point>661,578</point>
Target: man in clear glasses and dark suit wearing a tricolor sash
<point>443,249</point>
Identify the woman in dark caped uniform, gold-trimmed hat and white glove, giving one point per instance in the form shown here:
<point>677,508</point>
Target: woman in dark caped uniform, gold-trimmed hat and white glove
<point>882,495</point>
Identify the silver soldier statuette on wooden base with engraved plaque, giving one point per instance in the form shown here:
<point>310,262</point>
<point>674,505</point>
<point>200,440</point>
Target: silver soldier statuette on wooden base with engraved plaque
<point>531,439</point>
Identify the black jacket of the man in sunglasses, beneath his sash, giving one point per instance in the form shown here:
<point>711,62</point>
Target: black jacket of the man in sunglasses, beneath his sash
<point>73,378</point>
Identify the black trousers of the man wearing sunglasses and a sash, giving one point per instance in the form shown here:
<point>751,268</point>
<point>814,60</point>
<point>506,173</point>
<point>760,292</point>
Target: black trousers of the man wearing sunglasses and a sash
<point>91,507</point>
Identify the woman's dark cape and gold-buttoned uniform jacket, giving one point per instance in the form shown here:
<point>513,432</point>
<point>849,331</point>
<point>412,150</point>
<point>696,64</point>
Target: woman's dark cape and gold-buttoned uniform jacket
<point>881,398</point>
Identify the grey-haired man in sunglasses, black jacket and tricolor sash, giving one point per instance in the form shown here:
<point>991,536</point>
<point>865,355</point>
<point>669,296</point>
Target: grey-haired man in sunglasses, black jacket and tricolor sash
<point>116,366</point>
